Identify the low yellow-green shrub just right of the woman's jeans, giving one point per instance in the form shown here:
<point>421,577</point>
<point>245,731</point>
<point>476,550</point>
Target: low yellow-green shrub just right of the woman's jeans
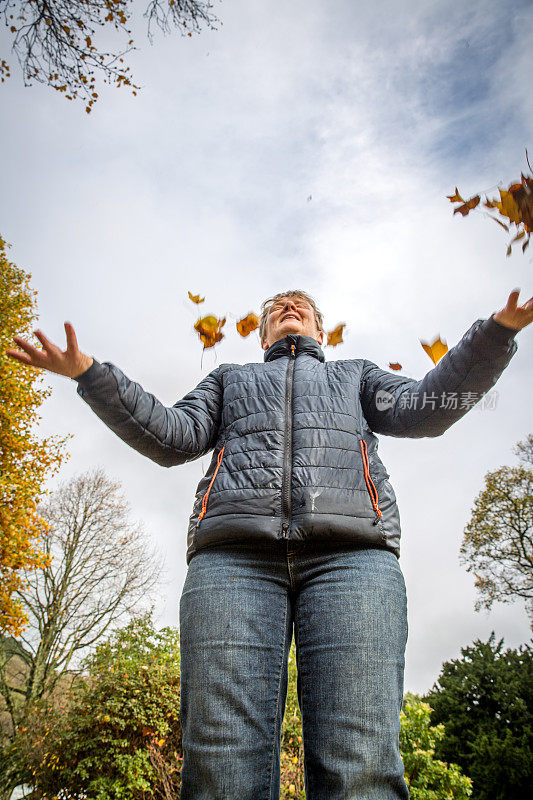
<point>427,777</point>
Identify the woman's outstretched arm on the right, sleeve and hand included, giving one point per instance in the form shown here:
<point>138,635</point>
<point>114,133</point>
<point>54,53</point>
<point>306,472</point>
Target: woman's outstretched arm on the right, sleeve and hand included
<point>400,406</point>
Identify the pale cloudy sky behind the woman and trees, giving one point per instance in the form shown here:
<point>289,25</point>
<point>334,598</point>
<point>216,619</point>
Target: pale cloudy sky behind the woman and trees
<point>201,182</point>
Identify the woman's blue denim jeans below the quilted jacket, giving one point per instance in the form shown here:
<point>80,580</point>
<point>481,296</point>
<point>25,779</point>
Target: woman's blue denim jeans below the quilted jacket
<point>238,608</point>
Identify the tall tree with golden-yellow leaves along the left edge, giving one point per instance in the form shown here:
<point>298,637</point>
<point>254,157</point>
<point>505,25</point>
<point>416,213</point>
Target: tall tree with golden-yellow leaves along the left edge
<point>25,460</point>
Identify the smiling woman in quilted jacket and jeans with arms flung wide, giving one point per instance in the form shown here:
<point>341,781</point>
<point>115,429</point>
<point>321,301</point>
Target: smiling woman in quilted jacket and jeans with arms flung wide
<point>294,528</point>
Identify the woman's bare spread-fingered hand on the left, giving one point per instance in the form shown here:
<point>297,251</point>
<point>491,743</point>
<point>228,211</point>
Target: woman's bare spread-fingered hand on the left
<point>70,362</point>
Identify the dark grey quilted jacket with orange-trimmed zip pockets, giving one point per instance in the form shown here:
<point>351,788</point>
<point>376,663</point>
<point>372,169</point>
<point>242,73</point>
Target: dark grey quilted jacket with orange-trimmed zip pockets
<point>295,455</point>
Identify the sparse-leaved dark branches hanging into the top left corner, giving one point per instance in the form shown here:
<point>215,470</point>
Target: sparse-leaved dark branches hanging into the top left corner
<point>58,43</point>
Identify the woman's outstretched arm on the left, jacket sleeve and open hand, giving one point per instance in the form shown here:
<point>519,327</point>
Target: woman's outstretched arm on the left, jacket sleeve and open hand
<point>169,436</point>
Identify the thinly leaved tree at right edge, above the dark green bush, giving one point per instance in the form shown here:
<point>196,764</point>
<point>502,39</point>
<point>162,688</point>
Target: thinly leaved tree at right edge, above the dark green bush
<point>498,540</point>
